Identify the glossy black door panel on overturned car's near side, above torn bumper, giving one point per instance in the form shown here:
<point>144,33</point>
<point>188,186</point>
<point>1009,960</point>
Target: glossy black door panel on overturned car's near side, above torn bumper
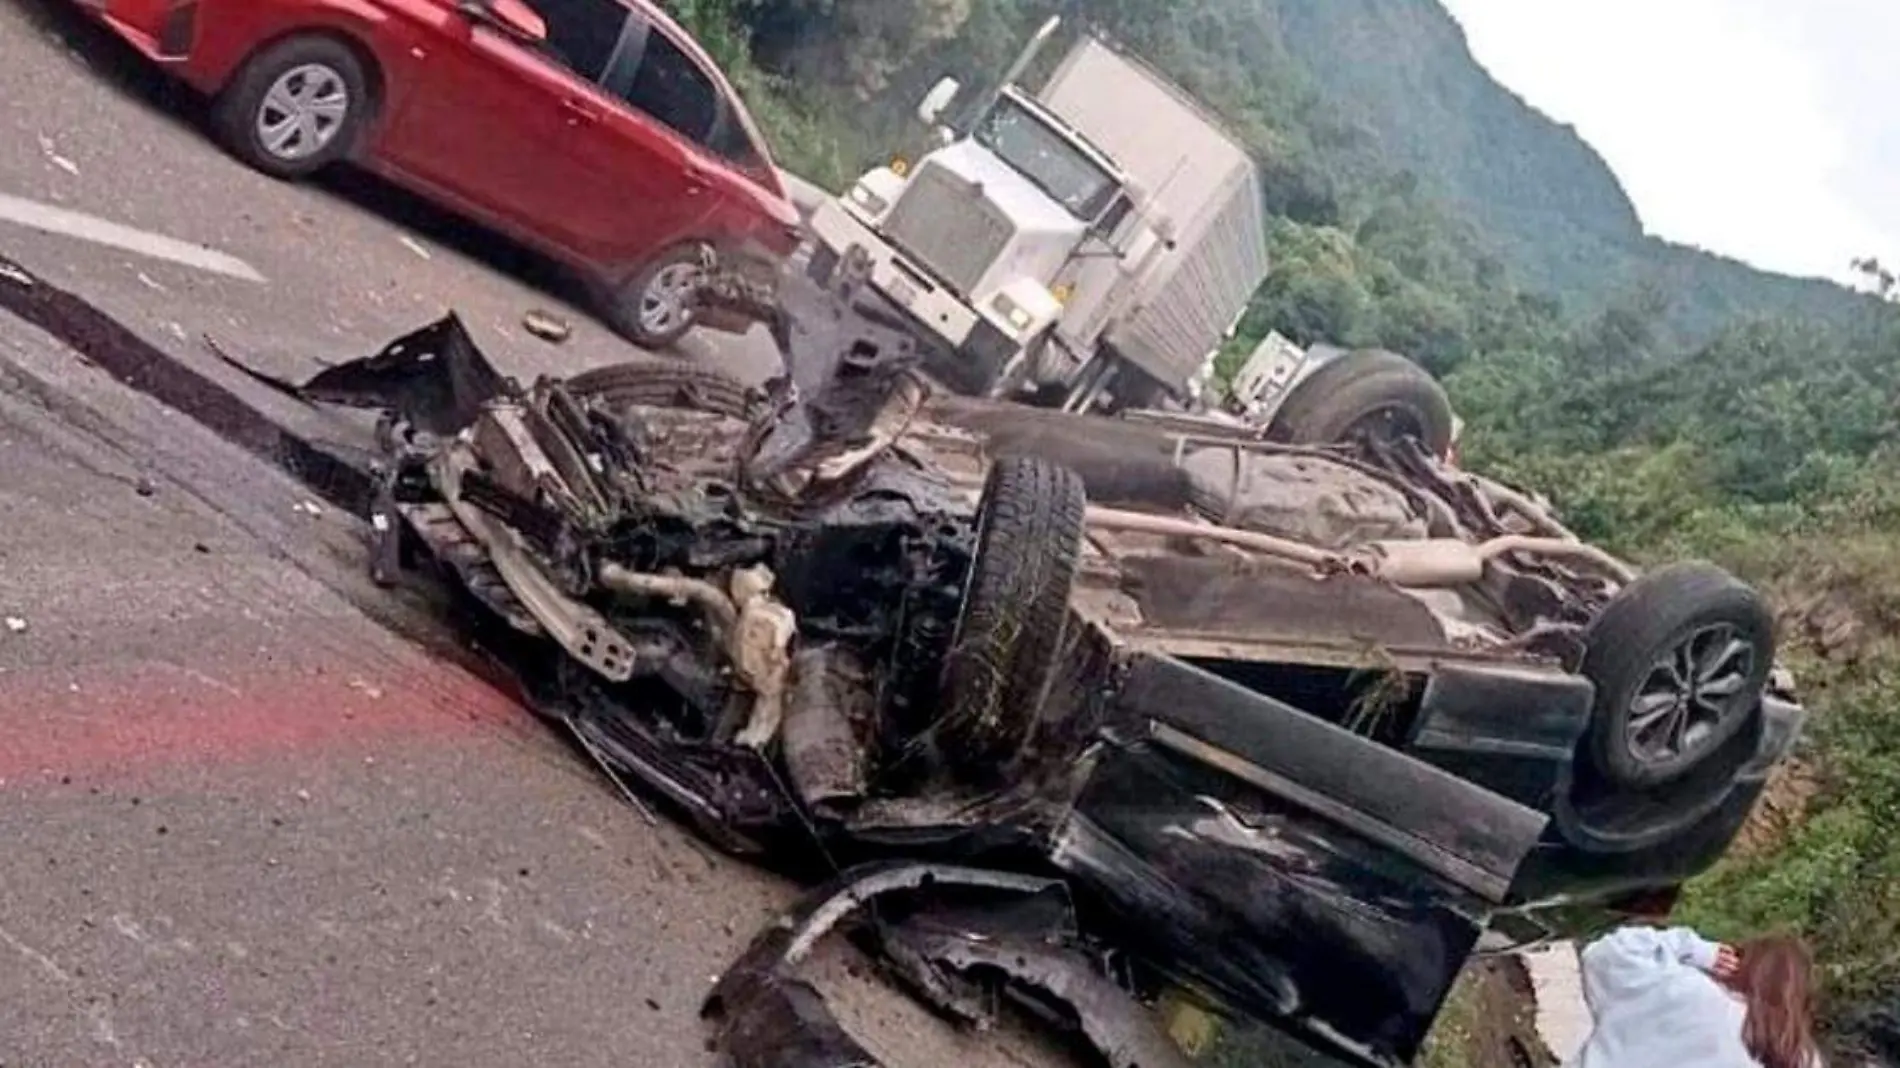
<point>1266,909</point>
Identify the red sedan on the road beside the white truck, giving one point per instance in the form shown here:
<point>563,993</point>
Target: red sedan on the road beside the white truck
<point>594,130</point>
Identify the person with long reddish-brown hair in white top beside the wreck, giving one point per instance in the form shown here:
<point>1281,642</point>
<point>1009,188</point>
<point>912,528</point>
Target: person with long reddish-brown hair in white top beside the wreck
<point>1671,999</point>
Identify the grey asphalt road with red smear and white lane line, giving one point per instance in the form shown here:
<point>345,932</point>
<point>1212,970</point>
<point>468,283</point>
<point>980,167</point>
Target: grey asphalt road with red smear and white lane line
<point>256,811</point>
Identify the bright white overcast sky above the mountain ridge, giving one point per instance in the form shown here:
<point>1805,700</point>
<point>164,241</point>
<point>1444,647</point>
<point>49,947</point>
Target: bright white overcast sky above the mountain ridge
<point>1764,130</point>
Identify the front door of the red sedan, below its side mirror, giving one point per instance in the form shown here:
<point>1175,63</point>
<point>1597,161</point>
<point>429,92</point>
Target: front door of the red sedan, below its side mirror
<point>501,126</point>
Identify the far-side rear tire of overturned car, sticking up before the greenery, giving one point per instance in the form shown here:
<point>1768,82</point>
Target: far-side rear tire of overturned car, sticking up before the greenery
<point>1367,391</point>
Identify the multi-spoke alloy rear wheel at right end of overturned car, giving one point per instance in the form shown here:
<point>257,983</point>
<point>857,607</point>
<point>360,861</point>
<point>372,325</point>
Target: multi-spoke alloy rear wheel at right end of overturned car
<point>1681,660</point>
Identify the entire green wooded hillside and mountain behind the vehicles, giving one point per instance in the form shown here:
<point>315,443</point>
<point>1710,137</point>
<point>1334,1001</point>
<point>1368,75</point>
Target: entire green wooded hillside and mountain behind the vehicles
<point>1671,402</point>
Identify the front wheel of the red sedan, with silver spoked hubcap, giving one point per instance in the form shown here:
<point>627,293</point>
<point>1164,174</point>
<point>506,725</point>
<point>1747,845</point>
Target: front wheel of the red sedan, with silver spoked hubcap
<point>313,83</point>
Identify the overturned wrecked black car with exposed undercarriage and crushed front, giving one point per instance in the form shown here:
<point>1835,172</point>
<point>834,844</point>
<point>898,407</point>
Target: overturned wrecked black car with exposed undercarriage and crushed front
<point>1076,710</point>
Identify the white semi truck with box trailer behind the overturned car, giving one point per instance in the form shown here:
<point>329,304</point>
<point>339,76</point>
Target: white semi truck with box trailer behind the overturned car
<point>1093,240</point>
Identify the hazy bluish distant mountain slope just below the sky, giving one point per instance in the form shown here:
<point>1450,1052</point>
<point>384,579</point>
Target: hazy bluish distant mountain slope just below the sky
<point>1403,73</point>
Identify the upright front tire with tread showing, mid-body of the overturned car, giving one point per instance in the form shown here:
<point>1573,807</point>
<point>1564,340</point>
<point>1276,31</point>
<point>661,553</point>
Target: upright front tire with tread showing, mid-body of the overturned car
<point>1016,607</point>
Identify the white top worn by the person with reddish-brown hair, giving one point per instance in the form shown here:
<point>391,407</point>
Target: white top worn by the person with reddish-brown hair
<point>1658,1006</point>
